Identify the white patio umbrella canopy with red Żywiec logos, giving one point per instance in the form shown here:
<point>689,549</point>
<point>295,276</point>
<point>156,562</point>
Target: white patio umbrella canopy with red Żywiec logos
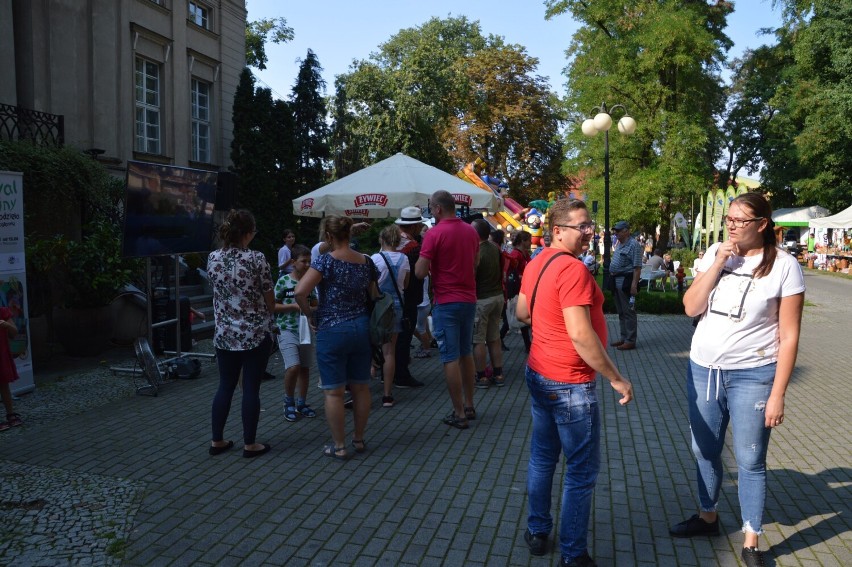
<point>385,188</point>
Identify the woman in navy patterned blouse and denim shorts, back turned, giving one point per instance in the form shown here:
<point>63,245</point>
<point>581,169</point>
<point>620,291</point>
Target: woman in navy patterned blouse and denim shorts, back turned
<point>343,336</point>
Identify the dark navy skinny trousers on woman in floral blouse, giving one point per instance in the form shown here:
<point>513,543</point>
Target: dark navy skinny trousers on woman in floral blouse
<point>253,364</point>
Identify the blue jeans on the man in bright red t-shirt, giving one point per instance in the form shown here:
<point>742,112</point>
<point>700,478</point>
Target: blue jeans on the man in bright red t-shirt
<point>565,418</point>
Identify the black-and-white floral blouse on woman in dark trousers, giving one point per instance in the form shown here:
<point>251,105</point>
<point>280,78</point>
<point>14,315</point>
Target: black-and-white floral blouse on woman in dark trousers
<point>239,277</point>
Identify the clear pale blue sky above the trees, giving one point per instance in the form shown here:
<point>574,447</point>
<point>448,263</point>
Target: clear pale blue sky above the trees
<point>339,31</point>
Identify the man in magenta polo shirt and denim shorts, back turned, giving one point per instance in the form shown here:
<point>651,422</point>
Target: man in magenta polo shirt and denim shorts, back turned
<point>449,254</point>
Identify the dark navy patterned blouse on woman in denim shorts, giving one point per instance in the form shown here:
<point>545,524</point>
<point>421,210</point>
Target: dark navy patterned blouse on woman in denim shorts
<point>342,290</point>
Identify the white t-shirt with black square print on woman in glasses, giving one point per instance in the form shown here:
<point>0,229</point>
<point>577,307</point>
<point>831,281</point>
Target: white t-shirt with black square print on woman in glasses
<point>739,329</point>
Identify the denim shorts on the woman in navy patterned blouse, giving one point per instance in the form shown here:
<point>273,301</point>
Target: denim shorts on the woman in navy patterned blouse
<point>344,354</point>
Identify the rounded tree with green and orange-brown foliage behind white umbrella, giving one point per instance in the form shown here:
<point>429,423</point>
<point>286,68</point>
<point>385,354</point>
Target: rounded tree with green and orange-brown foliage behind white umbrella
<point>444,94</point>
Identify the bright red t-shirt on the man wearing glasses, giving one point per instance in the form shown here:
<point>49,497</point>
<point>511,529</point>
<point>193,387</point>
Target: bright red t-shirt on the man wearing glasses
<point>566,283</point>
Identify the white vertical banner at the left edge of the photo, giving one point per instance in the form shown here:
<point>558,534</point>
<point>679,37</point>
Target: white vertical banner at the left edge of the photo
<point>13,275</point>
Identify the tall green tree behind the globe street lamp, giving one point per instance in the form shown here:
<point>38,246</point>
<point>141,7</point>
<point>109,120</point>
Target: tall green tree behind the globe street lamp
<point>661,59</point>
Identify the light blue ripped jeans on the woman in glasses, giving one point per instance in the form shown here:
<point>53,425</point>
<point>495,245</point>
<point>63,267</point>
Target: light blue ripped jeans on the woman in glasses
<point>717,397</point>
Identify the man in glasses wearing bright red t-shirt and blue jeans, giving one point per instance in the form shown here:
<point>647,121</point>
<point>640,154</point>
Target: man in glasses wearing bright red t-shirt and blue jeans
<point>564,305</point>
